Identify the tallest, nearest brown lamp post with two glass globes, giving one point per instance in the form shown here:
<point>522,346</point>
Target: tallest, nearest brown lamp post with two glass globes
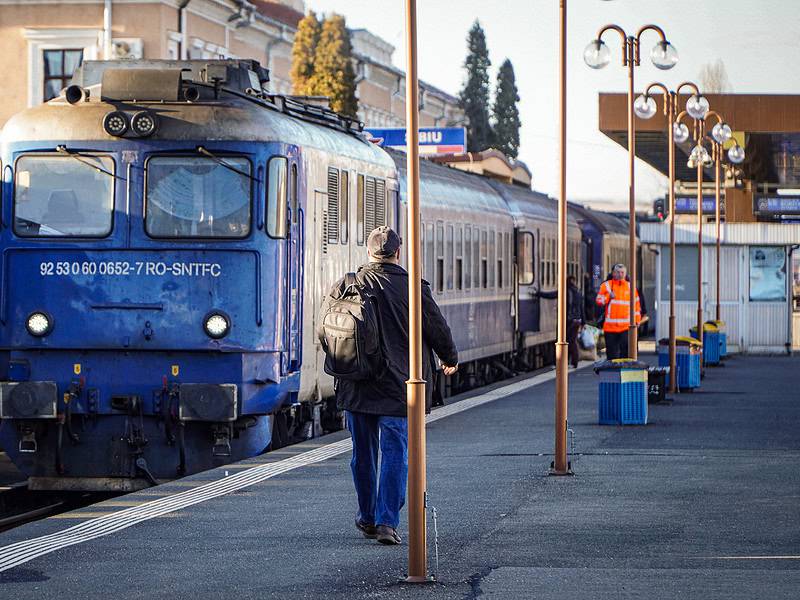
<point>664,56</point>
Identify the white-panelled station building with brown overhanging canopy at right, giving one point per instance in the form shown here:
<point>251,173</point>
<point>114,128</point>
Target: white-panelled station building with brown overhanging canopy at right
<point>760,230</point>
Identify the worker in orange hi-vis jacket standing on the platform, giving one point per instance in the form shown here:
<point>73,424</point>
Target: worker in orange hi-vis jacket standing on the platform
<point>615,297</point>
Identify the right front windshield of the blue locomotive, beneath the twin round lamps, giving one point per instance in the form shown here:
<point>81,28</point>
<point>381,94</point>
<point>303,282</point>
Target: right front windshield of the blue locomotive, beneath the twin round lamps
<point>193,196</point>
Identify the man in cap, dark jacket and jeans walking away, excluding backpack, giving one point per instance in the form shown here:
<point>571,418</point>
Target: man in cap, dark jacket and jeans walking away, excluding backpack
<point>376,406</point>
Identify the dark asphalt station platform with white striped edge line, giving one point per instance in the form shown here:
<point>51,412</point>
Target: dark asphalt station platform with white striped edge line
<point>703,502</point>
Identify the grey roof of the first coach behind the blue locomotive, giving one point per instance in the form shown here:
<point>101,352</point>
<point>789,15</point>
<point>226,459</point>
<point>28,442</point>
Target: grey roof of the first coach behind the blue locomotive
<point>448,187</point>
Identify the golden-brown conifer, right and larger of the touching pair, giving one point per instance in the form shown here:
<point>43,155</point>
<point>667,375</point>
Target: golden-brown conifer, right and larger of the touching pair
<point>334,75</point>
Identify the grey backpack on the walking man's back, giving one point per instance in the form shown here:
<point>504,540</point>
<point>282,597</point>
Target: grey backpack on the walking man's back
<point>350,333</point>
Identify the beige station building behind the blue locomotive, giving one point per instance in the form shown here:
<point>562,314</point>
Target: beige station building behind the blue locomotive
<point>43,41</point>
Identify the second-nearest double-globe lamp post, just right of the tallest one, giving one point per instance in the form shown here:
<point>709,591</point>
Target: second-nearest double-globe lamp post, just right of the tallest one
<point>645,108</point>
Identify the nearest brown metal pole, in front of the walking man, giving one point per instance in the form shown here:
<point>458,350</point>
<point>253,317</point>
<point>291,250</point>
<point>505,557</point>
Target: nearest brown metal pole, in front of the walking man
<point>415,386</point>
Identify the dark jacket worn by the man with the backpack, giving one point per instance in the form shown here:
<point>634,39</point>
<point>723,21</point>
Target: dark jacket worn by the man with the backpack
<point>386,394</point>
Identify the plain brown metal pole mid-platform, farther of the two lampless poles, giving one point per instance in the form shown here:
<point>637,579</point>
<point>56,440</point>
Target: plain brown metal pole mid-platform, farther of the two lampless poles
<point>560,464</point>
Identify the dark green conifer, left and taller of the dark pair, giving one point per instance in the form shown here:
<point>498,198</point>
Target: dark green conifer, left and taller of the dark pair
<point>475,93</point>
